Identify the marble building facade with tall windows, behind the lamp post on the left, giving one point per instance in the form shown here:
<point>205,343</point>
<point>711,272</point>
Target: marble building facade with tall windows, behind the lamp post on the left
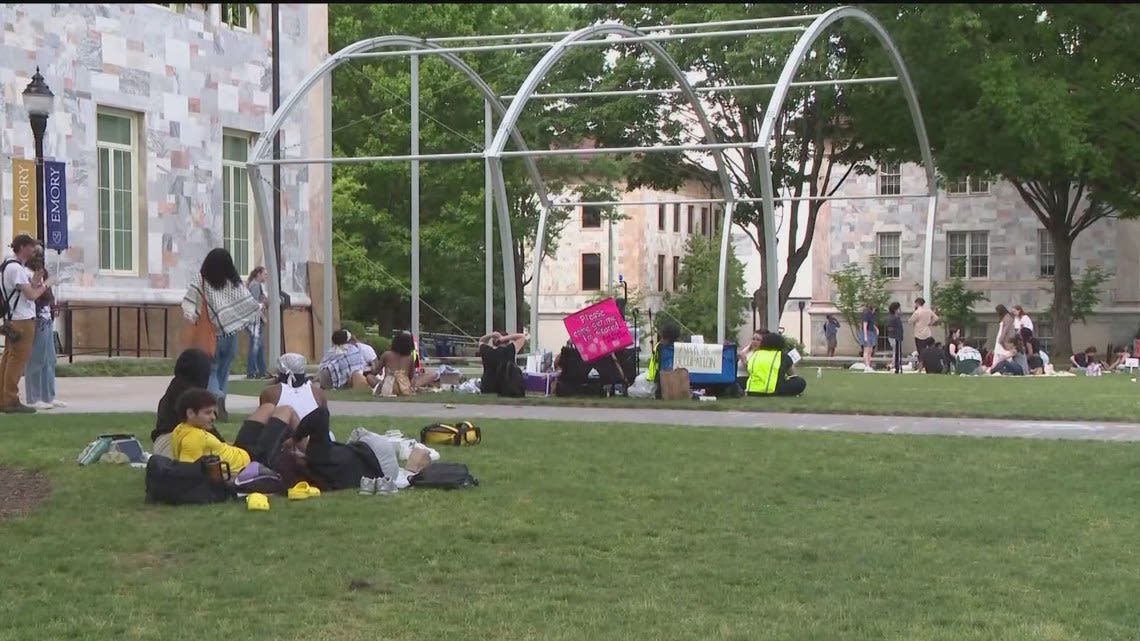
<point>157,110</point>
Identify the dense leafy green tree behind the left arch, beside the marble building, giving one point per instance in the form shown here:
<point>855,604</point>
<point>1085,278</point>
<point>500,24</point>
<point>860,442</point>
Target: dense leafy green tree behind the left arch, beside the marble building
<point>371,116</point>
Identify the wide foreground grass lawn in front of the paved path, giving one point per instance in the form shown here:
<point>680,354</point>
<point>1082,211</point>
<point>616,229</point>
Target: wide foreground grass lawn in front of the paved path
<point>584,532</point>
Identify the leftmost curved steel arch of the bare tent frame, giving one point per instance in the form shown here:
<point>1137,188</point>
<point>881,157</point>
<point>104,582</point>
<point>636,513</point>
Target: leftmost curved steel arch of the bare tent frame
<point>263,148</point>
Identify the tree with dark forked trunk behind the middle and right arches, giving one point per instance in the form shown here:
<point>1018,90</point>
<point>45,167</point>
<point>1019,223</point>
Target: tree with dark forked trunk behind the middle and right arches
<point>820,137</point>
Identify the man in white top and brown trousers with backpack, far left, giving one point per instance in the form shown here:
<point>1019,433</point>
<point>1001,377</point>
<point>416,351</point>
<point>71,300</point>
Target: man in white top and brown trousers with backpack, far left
<point>20,289</point>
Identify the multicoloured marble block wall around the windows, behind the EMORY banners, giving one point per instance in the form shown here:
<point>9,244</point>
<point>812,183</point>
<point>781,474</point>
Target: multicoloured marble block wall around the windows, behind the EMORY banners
<point>189,78</point>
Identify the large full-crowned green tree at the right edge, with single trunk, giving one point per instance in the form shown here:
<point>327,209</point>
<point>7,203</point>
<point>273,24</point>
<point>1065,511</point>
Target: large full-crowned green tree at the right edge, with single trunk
<point>1044,96</point>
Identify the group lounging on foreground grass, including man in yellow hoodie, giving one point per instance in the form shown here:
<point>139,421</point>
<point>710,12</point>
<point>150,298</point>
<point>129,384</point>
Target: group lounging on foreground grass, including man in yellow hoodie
<point>289,433</point>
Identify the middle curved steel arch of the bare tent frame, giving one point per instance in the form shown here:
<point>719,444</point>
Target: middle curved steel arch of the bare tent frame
<point>508,125</point>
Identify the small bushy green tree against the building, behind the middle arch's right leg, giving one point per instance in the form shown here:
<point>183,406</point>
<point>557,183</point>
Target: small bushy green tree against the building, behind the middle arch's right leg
<point>694,305</point>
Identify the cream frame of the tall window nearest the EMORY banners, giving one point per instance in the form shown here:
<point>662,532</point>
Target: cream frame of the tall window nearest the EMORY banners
<point>133,151</point>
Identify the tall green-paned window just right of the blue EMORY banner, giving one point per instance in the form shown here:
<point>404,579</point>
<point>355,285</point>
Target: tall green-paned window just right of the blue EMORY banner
<point>116,134</point>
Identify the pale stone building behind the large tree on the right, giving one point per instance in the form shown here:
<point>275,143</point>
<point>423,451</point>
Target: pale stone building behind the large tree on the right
<point>983,232</point>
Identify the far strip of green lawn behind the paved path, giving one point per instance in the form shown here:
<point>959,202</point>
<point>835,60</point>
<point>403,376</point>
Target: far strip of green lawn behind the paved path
<point>1078,399</point>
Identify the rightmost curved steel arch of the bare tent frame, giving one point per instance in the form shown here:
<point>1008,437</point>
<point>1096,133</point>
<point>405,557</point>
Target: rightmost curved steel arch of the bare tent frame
<point>776,106</point>
